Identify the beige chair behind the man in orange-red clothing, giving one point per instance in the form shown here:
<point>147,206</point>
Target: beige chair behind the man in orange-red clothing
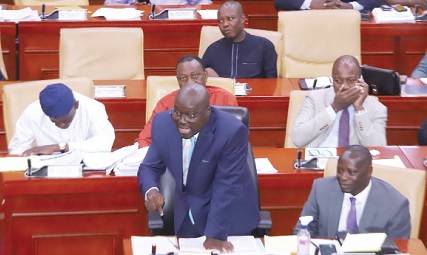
<point>160,86</point>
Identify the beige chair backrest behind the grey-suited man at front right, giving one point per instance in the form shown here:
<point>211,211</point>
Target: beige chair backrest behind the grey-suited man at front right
<point>409,182</point>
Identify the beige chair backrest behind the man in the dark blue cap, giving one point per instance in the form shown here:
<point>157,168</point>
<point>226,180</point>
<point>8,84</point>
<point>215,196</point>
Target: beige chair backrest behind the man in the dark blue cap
<point>17,96</point>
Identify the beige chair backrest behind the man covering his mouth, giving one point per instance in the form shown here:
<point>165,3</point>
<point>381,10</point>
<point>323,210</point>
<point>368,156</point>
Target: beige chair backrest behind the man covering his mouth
<point>296,99</point>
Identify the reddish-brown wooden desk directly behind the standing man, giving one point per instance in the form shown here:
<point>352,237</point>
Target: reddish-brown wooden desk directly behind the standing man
<point>102,210</point>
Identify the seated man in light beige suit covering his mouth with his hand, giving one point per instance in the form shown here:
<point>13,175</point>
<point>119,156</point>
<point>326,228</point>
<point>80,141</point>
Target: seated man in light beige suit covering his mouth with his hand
<point>341,115</point>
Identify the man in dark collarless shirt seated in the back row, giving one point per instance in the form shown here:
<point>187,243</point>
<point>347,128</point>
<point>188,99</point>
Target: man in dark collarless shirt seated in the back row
<point>239,54</point>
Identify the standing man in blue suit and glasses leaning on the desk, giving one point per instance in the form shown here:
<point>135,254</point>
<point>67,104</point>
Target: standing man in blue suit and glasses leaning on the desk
<point>214,195</point>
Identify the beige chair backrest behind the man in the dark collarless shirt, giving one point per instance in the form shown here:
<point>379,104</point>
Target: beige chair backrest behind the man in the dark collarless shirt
<point>210,34</point>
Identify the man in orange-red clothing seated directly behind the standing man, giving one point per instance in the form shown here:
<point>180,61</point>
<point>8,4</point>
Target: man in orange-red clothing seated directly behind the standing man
<point>189,70</point>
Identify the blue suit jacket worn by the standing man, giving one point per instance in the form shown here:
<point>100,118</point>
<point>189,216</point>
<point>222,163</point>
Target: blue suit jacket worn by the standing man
<point>219,188</point>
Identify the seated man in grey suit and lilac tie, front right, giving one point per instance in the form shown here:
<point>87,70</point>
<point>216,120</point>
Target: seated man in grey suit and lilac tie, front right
<point>353,201</point>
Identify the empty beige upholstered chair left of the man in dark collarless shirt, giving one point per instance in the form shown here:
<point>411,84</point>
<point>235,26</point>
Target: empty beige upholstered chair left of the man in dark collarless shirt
<point>102,53</point>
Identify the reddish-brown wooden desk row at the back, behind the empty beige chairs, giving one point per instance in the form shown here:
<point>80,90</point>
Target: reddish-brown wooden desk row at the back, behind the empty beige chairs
<point>393,46</point>
